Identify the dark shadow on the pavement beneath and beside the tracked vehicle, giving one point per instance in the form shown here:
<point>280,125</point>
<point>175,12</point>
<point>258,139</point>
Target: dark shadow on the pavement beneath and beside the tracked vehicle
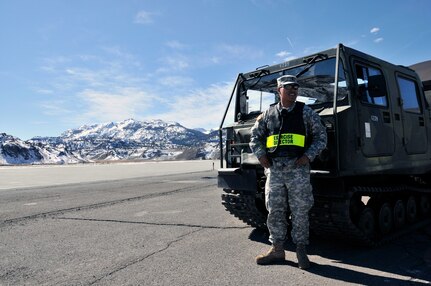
<point>405,261</point>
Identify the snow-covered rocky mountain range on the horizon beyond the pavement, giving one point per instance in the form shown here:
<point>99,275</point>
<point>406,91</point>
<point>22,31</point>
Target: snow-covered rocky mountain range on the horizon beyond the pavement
<point>126,140</point>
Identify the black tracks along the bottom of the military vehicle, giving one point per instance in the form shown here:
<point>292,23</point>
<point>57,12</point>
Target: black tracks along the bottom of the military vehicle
<point>329,217</point>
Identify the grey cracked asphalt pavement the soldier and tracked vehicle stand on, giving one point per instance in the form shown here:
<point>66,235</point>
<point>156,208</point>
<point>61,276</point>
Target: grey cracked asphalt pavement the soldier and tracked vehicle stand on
<point>171,230</point>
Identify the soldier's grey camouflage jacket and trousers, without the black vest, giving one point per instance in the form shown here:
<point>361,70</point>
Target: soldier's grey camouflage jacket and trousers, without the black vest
<point>288,183</point>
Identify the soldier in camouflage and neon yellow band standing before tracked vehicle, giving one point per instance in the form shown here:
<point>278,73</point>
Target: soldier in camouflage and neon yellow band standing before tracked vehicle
<point>285,139</point>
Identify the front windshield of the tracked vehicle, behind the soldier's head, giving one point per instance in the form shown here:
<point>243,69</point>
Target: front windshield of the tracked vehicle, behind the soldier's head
<point>316,87</point>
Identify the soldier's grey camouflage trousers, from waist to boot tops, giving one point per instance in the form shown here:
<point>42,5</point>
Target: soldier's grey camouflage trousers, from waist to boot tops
<point>288,185</point>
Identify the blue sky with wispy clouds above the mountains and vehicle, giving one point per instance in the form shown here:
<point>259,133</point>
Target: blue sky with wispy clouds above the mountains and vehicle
<point>67,63</point>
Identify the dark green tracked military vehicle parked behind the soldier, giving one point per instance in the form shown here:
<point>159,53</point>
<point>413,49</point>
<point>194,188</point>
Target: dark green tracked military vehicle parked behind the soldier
<point>373,181</point>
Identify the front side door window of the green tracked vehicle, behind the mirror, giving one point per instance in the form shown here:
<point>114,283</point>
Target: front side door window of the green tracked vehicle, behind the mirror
<point>371,85</point>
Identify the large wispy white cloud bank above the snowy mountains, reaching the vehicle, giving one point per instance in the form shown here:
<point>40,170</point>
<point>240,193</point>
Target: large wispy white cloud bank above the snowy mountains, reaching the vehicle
<point>87,90</point>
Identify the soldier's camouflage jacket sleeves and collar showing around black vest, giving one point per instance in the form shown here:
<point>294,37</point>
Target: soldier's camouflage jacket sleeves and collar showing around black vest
<point>313,127</point>
